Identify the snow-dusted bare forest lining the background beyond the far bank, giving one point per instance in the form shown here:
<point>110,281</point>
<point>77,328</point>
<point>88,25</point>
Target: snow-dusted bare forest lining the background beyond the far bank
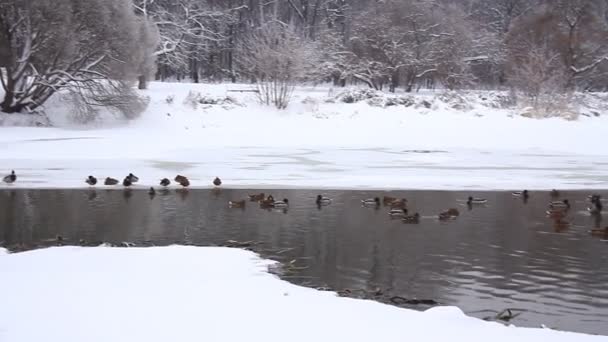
<point>539,49</point>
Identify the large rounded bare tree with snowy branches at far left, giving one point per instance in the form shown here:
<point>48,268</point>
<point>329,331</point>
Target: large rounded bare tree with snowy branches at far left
<point>73,45</point>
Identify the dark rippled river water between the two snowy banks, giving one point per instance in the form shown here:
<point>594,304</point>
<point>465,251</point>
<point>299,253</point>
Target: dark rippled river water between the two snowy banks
<point>506,254</point>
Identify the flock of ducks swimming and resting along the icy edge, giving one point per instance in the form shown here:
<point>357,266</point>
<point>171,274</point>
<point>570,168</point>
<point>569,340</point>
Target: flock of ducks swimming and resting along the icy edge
<point>557,210</point>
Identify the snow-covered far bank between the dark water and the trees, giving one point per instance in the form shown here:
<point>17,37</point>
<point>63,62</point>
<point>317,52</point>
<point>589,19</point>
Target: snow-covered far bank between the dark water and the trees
<point>460,142</point>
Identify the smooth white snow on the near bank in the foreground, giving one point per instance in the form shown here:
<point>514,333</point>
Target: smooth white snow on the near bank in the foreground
<point>180,293</point>
